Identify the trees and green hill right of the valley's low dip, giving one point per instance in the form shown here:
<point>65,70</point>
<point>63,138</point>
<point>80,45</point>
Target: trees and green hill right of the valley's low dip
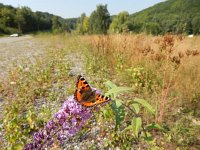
<point>176,16</point>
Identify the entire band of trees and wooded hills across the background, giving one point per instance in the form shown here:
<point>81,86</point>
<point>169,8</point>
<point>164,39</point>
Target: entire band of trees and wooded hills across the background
<point>177,16</point>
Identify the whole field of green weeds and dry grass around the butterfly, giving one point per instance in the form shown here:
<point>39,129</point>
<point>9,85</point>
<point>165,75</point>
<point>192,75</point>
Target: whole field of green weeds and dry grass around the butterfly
<point>160,112</point>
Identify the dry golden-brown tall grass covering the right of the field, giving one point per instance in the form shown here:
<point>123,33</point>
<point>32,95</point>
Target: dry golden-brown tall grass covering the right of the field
<point>174,59</point>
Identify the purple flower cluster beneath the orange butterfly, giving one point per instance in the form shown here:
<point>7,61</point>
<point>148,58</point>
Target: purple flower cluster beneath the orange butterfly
<point>65,123</point>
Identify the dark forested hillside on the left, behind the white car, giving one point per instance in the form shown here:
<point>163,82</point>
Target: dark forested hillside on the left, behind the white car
<point>23,20</point>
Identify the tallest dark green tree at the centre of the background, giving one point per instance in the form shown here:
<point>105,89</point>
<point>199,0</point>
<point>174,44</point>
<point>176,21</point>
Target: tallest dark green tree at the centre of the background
<point>99,20</point>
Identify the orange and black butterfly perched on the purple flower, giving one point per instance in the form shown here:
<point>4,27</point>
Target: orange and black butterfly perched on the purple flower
<point>86,96</point>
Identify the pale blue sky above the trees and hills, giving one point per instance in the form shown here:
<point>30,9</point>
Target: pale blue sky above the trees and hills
<point>74,8</point>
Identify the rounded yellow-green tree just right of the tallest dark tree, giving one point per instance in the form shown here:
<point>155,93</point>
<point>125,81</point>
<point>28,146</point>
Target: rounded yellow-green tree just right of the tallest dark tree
<point>120,23</point>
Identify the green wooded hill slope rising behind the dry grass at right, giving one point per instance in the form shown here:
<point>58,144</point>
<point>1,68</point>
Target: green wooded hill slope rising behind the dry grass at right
<point>178,16</point>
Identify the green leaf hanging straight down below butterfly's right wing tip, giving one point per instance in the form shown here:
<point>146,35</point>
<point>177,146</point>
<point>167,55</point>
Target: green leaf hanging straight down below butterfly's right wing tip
<point>119,111</point>
